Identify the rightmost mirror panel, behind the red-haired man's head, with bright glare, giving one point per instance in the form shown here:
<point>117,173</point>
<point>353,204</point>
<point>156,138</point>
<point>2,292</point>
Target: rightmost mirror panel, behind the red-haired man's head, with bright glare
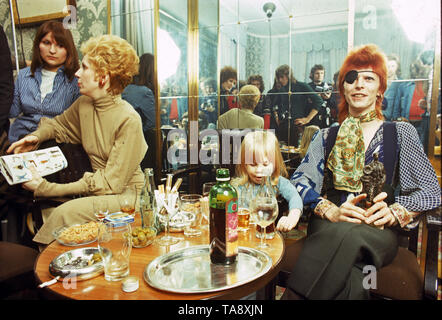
<point>410,51</point>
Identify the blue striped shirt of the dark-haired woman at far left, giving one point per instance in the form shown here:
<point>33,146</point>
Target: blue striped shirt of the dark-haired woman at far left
<point>27,106</point>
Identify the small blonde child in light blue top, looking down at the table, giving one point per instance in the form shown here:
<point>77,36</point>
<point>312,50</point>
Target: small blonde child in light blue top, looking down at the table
<point>260,153</point>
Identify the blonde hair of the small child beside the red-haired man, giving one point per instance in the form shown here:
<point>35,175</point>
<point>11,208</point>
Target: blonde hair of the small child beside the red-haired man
<point>257,144</point>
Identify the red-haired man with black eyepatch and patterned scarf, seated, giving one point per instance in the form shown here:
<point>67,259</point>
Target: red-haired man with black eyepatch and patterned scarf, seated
<point>343,235</point>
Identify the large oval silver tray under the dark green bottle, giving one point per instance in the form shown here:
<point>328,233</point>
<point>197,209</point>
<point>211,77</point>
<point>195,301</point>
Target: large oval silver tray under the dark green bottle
<point>189,270</point>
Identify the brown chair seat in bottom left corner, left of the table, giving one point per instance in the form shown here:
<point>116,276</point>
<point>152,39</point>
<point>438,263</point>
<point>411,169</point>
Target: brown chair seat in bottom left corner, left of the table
<point>17,270</point>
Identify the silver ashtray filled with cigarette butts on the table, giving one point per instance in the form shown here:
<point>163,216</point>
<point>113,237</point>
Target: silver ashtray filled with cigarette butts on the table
<point>75,263</point>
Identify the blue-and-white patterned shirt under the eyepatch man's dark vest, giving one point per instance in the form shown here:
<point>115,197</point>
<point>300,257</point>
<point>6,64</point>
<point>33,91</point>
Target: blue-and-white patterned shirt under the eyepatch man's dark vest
<point>419,188</point>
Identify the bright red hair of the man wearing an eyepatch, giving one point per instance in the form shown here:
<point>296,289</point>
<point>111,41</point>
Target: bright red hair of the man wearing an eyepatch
<point>366,56</point>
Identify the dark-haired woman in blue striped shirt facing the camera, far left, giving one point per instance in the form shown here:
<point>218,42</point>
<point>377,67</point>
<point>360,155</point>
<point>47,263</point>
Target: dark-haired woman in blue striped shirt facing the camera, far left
<point>48,86</point>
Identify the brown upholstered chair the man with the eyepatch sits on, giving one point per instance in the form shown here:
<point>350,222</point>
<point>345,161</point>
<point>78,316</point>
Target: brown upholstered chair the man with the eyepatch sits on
<point>400,280</point>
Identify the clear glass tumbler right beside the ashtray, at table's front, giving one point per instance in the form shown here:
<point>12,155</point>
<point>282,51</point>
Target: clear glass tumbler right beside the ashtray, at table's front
<point>114,245</point>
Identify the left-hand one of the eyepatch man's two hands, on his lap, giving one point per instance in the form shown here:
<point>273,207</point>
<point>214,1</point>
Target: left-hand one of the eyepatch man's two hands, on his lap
<point>348,211</point>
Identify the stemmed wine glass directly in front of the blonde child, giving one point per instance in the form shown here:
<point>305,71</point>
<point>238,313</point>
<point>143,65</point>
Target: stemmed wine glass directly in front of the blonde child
<point>265,211</point>
